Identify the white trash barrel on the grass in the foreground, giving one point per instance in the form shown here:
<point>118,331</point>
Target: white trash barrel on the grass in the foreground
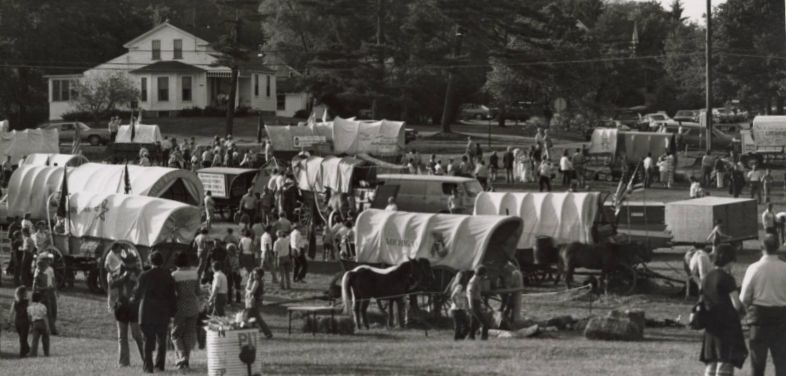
<point>234,352</point>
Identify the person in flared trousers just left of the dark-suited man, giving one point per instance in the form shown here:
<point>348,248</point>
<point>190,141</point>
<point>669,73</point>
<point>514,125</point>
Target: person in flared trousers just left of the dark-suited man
<point>124,308</point>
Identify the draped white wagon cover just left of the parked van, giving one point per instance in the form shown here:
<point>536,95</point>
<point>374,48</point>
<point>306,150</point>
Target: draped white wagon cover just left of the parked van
<point>317,173</point>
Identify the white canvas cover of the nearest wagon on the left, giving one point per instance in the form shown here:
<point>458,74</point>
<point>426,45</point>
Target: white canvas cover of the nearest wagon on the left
<point>144,221</point>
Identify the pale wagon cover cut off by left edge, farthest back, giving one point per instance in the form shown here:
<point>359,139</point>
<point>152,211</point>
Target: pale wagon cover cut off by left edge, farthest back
<point>17,144</point>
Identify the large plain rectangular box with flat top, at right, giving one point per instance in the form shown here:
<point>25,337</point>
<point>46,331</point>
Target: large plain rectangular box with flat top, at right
<point>690,221</point>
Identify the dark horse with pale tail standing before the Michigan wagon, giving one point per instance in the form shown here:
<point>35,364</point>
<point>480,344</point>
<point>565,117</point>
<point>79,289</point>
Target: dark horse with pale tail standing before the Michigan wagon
<point>365,282</point>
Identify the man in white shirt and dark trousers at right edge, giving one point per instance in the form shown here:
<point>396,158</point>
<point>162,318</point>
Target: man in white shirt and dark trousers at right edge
<point>764,295</point>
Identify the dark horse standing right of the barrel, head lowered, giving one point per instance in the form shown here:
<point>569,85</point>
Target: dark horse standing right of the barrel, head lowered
<point>609,257</point>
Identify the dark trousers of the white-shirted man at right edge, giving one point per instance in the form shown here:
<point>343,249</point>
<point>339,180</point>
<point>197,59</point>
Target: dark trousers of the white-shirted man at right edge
<point>770,338</point>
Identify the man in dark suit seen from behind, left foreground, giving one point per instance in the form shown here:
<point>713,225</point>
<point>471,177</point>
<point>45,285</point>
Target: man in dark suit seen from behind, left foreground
<point>157,300</point>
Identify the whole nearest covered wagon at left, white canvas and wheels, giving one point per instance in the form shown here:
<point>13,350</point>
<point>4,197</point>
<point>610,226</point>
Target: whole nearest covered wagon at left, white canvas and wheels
<point>97,221</point>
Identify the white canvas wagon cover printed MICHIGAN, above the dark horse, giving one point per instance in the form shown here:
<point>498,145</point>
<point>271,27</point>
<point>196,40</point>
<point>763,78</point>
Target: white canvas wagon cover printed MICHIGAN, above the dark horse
<point>393,237</point>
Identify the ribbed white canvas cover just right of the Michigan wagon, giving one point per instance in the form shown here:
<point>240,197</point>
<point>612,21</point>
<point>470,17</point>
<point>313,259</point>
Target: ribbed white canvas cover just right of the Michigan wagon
<point>566,217</point>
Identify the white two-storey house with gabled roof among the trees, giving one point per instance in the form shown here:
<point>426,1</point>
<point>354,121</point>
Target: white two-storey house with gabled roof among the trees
<point>174,70</point>
